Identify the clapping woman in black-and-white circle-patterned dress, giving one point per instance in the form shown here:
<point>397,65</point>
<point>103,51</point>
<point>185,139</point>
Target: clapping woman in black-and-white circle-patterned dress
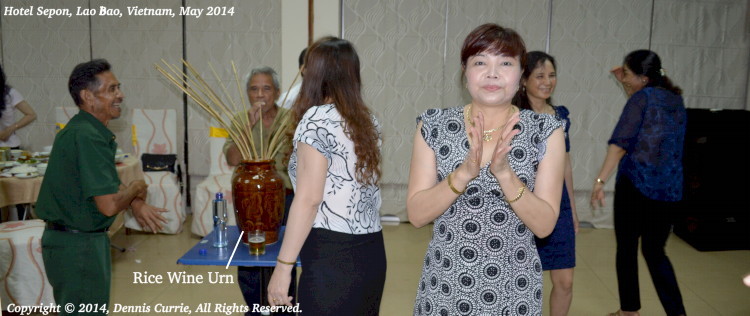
<point>490,177</point>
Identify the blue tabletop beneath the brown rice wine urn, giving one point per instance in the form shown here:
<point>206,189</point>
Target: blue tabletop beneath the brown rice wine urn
<point>220,256</point>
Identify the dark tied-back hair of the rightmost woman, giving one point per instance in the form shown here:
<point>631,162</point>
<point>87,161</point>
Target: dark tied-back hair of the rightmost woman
<point>644,62</point>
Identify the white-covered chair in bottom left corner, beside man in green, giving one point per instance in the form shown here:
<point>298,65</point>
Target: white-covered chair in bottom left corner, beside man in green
<point>23,280</point>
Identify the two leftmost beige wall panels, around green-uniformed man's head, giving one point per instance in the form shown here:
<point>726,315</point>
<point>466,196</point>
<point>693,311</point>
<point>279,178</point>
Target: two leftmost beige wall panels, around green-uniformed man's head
<point>39,54</point>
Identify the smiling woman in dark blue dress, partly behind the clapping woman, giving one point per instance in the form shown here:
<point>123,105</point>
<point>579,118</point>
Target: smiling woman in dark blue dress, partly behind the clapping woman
<point>558,250</point>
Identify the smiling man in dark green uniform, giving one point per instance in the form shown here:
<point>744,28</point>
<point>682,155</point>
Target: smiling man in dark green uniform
<point>81,193</point>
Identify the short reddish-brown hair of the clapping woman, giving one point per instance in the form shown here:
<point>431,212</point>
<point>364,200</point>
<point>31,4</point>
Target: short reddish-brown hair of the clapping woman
<point>495,39</point>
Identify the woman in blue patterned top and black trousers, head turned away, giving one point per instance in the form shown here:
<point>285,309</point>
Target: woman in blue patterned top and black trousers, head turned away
<point>646,147</point>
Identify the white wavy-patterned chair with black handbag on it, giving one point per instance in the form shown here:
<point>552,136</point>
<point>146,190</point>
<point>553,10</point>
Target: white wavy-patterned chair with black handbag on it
<point>154,132</point>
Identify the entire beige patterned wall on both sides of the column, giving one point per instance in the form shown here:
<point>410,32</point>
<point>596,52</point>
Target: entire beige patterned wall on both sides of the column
<point>409,52</point>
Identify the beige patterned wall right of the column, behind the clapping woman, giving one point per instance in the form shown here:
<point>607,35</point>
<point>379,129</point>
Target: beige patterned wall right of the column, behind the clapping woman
<point>410,53</point>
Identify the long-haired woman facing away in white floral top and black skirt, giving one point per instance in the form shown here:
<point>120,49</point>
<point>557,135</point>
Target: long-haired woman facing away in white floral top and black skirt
<point>334,221</point>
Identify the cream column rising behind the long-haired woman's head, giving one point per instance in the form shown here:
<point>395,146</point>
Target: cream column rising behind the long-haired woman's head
<point>294,31</point>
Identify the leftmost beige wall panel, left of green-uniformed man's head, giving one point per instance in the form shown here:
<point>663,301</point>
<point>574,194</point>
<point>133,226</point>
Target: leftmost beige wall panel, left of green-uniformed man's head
<point>38,55</point>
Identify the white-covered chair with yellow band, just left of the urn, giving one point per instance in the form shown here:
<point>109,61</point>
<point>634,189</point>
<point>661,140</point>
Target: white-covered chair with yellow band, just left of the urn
<point>219,180</point>
